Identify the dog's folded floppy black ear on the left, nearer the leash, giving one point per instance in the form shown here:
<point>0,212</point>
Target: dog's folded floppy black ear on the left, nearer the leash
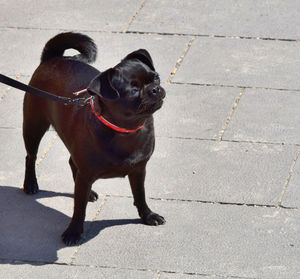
<point>102,86</point>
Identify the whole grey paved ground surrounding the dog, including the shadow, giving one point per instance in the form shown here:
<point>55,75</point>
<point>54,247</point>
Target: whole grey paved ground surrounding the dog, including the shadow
<point>226,170</point>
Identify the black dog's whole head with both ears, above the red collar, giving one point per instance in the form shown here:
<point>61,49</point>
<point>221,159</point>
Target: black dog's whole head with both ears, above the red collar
<point>131,90</point>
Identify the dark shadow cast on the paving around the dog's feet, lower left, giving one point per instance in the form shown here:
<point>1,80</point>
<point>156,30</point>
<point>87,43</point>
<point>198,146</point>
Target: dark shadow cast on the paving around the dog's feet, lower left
<point>30,231</point>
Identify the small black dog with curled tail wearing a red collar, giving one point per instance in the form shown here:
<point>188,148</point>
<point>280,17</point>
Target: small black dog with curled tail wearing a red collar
<point>112,136</point>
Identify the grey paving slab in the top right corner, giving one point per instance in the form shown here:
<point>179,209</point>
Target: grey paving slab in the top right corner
<point>275,19</point>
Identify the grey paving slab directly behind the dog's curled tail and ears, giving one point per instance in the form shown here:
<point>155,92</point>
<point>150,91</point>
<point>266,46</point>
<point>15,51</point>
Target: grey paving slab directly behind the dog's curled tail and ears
<point>111,49</point>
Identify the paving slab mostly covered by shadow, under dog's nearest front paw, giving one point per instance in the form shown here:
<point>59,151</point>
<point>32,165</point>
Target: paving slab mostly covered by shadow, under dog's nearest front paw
<point>31,226</point>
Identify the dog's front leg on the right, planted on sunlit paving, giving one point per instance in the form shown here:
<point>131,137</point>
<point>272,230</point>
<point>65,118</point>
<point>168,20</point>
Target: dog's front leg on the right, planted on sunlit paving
<point>137,180</point>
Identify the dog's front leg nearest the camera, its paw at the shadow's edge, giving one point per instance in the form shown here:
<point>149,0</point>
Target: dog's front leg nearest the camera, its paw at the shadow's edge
<point>72,235</point>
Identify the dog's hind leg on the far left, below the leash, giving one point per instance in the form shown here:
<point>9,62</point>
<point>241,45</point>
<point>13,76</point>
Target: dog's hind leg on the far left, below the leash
<point>34,127</point>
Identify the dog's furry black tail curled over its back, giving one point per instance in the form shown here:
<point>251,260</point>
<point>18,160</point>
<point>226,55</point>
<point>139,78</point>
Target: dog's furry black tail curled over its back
<point>56,46</point>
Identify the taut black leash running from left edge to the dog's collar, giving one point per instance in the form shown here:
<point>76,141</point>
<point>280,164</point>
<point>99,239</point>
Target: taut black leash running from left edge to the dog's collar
<point>38,92</point>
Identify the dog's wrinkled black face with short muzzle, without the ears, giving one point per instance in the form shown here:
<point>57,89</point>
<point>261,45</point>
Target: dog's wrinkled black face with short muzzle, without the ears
<point>139,88</point>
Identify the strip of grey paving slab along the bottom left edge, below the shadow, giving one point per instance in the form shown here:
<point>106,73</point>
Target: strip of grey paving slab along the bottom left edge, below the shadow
<point>18,270</point>
